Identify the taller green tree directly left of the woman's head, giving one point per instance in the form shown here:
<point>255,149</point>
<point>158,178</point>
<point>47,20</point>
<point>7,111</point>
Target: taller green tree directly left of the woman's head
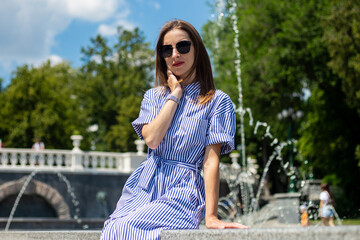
<point>111,85</point>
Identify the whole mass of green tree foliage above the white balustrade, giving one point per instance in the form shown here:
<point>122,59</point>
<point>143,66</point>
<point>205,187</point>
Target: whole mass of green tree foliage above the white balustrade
<point>54,102</point>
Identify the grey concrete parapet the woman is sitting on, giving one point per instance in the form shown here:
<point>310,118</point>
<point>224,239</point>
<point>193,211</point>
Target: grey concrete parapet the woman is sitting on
<point>298,233</point>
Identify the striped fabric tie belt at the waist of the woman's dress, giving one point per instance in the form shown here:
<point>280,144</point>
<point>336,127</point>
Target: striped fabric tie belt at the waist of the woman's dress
<point>154,161</point>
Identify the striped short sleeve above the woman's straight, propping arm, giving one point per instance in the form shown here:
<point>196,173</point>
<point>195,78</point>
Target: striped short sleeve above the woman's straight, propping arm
<point>222,126</point>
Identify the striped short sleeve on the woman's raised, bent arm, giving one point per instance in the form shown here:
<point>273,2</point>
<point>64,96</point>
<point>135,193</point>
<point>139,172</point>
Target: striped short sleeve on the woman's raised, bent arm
<point>148,112</point>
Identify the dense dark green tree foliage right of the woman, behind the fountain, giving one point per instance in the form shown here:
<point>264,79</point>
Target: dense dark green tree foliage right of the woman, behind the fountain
<point>303,56</point>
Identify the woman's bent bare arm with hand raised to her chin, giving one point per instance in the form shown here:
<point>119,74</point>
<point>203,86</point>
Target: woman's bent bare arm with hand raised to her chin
<point>155,131</point>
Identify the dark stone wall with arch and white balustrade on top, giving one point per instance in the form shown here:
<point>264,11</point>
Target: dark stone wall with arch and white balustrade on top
<point>55,185</point>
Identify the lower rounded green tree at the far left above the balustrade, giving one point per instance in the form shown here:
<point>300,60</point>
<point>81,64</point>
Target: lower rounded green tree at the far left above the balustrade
<point>38,103</point>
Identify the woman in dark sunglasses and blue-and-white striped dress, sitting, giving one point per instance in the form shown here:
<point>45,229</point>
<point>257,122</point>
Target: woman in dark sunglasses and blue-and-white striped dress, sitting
<point>186,125</point>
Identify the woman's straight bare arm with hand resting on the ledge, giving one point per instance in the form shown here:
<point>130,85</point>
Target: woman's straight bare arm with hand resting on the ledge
<point>211,179</point>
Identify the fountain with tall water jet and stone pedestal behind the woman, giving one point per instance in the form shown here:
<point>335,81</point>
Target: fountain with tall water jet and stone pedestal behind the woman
<point>241,182</point>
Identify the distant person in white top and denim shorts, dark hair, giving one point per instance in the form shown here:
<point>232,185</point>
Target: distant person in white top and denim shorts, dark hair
<point>326,205</point>
